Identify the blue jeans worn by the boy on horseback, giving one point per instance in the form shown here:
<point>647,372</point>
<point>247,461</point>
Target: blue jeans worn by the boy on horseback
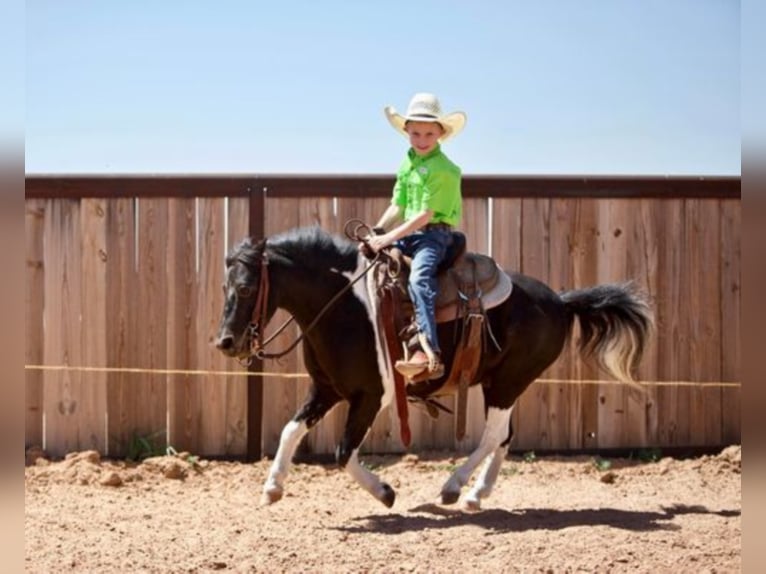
<point>427,249</point>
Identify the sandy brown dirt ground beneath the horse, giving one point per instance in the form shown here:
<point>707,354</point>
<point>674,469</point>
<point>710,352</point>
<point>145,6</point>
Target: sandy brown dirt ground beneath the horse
<point>577,514</point>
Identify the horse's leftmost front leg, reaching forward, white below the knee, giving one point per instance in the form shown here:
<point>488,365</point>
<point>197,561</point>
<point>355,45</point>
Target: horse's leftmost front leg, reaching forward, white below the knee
<point>320,400</point>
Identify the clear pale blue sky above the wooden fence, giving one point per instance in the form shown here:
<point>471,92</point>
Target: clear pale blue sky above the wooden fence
<point>595,87</point>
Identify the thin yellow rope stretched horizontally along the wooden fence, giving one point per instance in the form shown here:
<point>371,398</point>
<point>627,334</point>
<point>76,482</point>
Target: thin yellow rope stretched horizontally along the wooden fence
<point>305,376</point>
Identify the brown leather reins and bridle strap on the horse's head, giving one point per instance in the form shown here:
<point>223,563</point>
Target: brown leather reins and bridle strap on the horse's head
<point>260,310</point>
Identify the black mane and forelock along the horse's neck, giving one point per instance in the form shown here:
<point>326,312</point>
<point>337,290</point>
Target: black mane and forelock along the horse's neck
<point>309,247</point>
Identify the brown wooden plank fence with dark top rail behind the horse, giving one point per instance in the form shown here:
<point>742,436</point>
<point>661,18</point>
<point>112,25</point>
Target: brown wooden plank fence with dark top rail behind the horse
<point>123,299</point>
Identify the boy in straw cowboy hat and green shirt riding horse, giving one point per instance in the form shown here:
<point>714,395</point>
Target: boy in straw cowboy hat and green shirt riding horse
<point>426,205</point>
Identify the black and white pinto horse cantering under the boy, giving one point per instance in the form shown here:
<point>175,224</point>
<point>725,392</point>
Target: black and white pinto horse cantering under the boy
<point>347,360</point>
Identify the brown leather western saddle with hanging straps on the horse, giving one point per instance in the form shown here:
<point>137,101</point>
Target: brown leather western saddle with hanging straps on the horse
<point>468,285</point>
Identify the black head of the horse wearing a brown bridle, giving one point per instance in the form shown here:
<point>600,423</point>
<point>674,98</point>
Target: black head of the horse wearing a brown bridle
<point>246,310</point>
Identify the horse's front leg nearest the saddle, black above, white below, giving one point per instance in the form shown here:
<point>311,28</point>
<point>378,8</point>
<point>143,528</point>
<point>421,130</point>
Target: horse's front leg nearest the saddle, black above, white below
<point>362,412</point>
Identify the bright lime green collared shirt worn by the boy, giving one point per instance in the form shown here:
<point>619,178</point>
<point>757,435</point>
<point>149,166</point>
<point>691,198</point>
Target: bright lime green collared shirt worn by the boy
<point>429,182</point>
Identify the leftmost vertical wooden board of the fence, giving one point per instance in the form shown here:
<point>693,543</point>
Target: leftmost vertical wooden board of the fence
<point>34,222</point>
